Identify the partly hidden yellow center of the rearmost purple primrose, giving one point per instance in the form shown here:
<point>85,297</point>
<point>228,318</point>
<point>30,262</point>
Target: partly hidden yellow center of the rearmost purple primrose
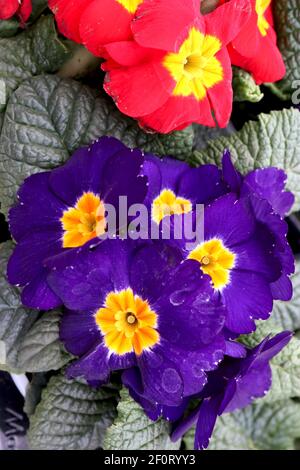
<point>167,204</point>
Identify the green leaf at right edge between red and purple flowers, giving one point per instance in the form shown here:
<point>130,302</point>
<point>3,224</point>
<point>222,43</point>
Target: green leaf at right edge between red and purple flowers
<point>274,140</point>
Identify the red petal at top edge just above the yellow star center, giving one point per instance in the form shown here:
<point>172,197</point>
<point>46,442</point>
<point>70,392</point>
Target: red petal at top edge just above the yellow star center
<point>162,24</point>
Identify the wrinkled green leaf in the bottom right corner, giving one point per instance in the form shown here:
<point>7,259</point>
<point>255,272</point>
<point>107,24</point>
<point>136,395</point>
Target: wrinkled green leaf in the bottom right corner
<point>258,427</point>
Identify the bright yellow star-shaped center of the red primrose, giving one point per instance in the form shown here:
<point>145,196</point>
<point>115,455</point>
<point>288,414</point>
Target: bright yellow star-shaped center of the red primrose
<point>195,67</point>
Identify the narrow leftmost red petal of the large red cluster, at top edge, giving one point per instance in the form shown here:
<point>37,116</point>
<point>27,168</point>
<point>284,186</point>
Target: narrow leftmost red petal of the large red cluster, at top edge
<point>67,14</point>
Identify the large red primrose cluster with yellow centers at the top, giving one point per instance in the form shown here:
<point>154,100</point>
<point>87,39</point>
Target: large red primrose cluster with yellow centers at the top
<point>166,64</point>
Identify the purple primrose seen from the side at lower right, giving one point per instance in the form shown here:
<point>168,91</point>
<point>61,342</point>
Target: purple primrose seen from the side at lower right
<point>233,386</point>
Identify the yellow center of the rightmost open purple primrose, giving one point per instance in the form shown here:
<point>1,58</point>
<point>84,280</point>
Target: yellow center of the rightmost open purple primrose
<point>215,260</point>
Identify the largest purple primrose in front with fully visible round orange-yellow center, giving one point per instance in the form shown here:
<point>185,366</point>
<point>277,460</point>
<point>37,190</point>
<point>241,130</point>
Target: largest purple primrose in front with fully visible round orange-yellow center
<point>139,306</point>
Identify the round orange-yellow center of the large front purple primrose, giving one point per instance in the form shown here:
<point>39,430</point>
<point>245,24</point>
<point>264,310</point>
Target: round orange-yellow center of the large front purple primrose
<point>127,323</point>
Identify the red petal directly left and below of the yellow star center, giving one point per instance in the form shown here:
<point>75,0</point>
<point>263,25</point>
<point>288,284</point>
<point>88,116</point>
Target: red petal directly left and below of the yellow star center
<point>141,89</point>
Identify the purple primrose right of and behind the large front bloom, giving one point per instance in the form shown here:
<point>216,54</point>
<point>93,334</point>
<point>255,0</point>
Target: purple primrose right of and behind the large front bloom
<point>244,250</point>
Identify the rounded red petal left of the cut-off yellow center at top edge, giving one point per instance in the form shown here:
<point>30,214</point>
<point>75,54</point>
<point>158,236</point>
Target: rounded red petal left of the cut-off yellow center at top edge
<point>103,22</point>
